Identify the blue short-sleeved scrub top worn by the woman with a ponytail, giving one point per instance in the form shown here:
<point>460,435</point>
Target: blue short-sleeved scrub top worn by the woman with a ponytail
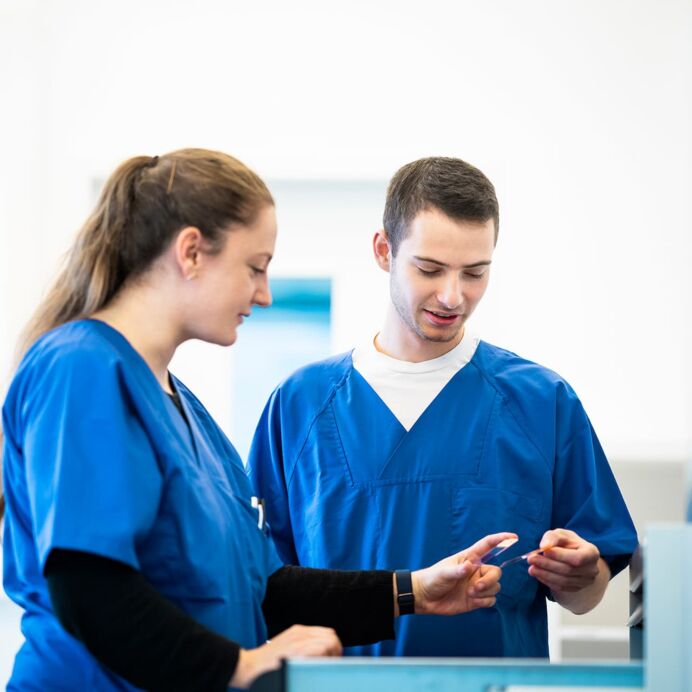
<point>98,459</point>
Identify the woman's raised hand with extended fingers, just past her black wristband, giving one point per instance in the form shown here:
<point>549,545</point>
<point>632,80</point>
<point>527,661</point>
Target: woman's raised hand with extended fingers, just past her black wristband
<point>459,583</point>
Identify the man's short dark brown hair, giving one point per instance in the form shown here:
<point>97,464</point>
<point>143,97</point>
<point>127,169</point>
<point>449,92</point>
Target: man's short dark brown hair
<point>453,186</point>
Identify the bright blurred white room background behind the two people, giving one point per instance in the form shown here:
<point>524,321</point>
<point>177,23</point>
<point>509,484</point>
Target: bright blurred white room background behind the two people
<point>579,112</point>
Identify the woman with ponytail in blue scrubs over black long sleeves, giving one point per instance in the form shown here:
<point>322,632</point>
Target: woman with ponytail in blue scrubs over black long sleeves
<point>130,538</point>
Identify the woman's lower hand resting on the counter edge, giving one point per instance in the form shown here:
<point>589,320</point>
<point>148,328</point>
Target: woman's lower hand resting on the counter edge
<point>295,641</point>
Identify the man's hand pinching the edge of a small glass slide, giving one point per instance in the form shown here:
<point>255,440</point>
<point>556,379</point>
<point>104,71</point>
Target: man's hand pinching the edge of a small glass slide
<point>572,569</point>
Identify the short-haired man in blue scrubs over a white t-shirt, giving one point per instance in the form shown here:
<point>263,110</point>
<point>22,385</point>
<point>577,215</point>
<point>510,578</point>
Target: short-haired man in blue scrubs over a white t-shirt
<point>427,439</point>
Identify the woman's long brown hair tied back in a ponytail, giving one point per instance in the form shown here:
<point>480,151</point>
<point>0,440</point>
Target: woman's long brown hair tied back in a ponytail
<point>143,204</point>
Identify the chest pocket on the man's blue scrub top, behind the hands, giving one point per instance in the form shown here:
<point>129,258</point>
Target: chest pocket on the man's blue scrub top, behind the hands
<point>479,511</point>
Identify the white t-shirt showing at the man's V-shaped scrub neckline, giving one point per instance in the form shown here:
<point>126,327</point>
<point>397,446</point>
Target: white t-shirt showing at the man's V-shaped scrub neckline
<point>409,388</point>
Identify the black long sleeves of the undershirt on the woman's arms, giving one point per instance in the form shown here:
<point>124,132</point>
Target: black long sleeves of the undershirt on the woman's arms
<point>146,639</point>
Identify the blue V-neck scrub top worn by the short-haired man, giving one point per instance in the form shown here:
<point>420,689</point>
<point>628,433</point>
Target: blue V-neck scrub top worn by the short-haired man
<point>505,446</point>
